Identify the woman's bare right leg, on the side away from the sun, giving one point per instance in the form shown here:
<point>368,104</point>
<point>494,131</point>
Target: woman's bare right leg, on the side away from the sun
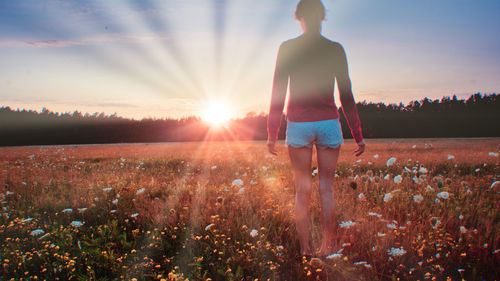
<point>327,163</point>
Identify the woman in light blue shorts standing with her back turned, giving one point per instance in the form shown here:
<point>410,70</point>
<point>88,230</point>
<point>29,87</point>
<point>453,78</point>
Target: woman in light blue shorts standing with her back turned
<point>312,63</point>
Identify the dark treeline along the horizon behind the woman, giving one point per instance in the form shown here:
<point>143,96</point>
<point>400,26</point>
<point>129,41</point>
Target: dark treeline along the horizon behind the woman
<point>477,116</point>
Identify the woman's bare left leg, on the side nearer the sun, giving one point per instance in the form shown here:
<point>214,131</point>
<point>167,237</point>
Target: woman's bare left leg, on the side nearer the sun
<point>301,163</point>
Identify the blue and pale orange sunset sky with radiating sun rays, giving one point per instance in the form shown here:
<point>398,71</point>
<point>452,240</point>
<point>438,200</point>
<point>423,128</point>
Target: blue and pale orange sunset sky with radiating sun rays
<point>158,59</point>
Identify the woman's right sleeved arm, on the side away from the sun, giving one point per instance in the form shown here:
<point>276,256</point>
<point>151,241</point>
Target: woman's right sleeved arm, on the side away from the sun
<point>346,98</point>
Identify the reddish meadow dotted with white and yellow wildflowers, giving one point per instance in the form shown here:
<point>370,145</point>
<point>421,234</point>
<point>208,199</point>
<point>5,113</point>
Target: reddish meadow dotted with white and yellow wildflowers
<point>224,211</point>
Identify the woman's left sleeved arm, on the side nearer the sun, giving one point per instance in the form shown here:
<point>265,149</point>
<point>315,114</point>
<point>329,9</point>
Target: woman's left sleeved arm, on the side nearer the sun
<point>280,83</point>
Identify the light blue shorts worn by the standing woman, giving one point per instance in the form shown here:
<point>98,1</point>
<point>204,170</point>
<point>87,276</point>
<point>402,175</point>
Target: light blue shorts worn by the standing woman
<point>325,134</point>
